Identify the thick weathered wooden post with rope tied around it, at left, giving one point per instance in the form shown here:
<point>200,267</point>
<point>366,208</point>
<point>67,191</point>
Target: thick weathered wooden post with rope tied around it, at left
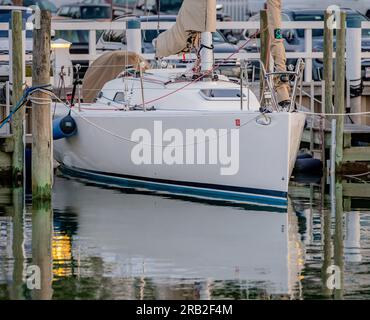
<point>42,143</point>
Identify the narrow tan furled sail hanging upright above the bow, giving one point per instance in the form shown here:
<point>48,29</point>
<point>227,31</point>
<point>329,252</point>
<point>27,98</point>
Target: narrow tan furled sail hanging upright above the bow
<point>277,47</point>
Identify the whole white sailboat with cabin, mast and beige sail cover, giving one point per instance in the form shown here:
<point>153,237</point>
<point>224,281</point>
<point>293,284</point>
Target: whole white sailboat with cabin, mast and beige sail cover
<point>184,131</point>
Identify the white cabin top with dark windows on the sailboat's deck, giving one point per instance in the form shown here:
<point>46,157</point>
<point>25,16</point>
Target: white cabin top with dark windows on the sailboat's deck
<point>174,89</point>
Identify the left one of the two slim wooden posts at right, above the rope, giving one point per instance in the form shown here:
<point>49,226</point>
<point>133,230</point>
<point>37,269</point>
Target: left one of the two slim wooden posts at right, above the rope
<point>328,63</point>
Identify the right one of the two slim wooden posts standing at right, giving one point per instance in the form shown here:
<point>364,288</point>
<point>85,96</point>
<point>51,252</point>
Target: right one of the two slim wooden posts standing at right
<point>340,86</point>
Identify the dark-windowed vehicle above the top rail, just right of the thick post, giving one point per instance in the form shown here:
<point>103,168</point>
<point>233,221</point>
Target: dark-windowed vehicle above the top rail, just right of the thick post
<point>85,11</point>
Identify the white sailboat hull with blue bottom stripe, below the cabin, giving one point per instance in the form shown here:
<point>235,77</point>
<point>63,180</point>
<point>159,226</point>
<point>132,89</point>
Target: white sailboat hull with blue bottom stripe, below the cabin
<point>101,150</point>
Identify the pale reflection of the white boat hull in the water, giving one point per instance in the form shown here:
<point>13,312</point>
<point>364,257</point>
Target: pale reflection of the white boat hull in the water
<point>141,245</point>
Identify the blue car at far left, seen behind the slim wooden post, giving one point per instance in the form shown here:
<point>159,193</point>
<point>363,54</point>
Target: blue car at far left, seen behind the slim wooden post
<point>5,16</point>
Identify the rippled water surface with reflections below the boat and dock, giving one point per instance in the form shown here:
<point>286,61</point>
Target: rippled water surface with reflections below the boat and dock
<point>105,243</point>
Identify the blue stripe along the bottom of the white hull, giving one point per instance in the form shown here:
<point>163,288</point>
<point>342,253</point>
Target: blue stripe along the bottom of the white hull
<point>257,196</point>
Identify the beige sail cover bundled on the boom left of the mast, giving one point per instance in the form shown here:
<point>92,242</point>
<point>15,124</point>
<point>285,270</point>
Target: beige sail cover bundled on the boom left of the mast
<point>195,16</point>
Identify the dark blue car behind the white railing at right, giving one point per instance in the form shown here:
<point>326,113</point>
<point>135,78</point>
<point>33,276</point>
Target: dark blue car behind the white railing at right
<point>294,38</point>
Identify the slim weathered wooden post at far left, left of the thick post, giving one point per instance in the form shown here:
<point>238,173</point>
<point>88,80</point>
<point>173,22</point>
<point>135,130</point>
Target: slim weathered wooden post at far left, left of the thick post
<point>18,118</point>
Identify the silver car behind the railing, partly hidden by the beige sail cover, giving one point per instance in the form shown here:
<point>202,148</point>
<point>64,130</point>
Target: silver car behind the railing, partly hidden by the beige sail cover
<point>116,40</point>
